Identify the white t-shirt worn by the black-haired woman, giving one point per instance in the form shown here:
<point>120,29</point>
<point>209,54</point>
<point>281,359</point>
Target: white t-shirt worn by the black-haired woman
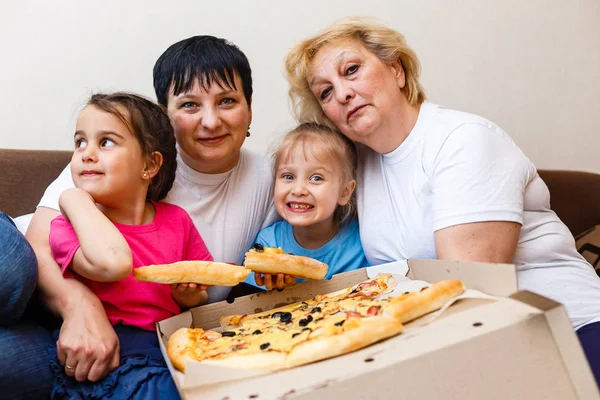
<point>228,209</point>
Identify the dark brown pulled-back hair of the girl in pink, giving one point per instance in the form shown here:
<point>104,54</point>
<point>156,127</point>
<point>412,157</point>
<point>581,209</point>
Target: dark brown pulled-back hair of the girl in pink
<point>149,123</point>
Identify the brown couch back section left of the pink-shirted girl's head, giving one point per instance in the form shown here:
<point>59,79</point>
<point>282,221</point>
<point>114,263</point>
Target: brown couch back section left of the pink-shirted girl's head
<point>25,174</point>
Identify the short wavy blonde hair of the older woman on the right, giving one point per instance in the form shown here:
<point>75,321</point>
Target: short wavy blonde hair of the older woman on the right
<point>387,44</point>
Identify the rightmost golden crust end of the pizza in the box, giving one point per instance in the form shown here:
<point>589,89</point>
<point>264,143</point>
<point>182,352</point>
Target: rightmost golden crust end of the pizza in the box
<point>413,306</point>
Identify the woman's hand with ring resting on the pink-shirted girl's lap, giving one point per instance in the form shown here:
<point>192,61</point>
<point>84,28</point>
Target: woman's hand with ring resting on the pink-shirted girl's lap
<point>87,346</point>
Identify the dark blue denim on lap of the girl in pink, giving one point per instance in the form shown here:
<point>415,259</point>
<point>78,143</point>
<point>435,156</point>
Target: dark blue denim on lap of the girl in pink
<point>141,374</point>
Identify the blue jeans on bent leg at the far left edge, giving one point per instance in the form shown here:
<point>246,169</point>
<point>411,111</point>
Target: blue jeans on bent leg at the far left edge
<point>24,359</point>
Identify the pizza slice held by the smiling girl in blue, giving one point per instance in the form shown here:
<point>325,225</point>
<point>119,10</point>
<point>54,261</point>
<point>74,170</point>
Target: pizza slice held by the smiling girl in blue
<point>269,260</point>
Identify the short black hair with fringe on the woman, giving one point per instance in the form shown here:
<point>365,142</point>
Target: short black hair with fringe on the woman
<point>204,59</point>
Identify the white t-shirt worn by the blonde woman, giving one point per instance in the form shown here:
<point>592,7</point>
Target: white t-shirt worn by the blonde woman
<point>456,168</point>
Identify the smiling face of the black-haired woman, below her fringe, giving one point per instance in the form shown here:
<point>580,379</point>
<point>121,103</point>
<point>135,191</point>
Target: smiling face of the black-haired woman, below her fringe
<point>210,126</point>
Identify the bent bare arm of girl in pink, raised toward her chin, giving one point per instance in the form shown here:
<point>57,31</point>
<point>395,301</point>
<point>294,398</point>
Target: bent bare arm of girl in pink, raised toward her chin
<point>104,254</point>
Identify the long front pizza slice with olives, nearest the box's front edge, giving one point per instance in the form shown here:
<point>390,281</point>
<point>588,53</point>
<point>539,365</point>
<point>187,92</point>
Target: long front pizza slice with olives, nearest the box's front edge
<point>283,347</point>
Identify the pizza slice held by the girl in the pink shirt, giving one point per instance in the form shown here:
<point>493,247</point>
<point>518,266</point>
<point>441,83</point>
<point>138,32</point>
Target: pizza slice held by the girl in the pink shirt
<point>201,272</point>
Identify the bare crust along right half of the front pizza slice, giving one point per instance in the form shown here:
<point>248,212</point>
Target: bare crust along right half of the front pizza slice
<point>370,330</point>
